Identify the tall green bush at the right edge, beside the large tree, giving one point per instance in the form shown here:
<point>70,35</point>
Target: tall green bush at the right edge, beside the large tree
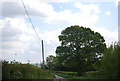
<point>109,63</point>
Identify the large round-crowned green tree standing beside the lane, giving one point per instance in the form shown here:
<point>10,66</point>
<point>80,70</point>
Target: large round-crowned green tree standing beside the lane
<point>80,47</point>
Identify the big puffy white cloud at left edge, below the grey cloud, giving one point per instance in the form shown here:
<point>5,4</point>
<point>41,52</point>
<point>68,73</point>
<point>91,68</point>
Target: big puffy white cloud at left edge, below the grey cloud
<point>16,36</point>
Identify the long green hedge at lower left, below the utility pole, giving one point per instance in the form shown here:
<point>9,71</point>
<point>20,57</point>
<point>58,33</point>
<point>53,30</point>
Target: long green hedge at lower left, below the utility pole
<point>23,71</point>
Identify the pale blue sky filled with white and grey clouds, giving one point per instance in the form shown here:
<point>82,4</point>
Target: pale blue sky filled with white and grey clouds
<point>19,42</point>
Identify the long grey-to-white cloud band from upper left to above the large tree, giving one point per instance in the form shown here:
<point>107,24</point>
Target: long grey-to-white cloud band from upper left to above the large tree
<point>86,15</point>
